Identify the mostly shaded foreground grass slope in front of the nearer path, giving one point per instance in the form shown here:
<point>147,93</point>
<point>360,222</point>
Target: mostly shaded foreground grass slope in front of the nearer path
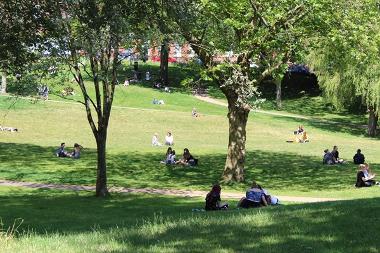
<point>56,221</point>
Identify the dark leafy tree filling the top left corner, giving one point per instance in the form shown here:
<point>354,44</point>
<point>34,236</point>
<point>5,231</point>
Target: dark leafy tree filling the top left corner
<point>22,31</point>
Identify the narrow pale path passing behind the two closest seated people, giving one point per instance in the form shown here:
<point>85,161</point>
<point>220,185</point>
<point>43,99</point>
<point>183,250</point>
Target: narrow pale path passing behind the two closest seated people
<point>169,192</point>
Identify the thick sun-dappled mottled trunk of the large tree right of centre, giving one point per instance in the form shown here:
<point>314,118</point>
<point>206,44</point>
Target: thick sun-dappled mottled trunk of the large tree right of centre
<point>237,118</point>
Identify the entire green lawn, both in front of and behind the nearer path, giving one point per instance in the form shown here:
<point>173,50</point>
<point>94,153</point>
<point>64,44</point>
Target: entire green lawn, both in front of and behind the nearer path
<point>64,221</point>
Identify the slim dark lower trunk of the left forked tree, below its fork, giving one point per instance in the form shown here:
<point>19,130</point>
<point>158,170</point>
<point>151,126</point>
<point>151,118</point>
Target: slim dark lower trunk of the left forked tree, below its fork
<point>101,175</point>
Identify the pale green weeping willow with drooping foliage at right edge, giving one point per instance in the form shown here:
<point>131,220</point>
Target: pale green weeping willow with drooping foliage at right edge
<point>347,59</point>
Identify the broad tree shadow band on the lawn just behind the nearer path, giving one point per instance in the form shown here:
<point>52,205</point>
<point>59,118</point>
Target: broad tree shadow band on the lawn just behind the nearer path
<point>278,171</point>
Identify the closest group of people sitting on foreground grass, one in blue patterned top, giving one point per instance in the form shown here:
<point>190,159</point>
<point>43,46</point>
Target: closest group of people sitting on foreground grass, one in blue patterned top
<point>256,196</point>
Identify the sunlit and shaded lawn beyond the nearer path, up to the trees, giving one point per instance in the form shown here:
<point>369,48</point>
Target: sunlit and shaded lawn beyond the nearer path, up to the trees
<point>284,168</point>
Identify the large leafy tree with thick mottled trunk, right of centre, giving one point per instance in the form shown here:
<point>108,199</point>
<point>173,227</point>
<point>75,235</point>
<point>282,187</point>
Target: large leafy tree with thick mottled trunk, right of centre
<point>264,34</point>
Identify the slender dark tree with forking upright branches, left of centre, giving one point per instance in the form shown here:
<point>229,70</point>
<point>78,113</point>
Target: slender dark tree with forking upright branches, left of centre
<point>89,34</point>
